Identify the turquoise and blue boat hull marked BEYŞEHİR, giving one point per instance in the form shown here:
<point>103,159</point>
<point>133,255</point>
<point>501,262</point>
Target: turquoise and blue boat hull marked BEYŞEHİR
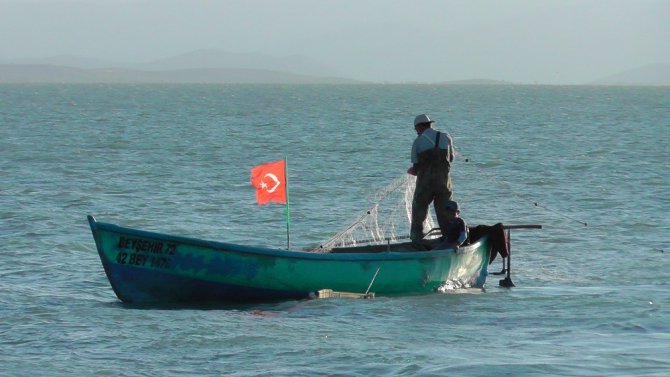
<point>150,267</point>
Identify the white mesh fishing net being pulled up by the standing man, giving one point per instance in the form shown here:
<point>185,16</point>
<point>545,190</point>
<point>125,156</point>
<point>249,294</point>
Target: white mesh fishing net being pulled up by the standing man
<point>387,219</point>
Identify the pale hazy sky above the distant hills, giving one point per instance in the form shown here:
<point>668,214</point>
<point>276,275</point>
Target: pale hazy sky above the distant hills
<point>551,41</point>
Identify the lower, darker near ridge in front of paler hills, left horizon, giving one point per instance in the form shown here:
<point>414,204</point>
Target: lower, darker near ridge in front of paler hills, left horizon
<point>40,73</point>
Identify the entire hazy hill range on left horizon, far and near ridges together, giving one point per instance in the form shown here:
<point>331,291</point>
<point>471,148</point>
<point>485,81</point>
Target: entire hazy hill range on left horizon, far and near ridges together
<point>201,66</point>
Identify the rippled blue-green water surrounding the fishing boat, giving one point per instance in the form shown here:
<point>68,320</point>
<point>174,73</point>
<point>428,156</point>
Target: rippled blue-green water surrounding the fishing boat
<point>588,163</point>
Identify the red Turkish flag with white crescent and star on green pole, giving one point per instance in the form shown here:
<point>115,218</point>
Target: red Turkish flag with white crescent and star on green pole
<point>270,182</point>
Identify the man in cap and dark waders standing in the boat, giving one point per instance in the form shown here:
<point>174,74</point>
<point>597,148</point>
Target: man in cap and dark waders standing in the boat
<point>432,154</point>
